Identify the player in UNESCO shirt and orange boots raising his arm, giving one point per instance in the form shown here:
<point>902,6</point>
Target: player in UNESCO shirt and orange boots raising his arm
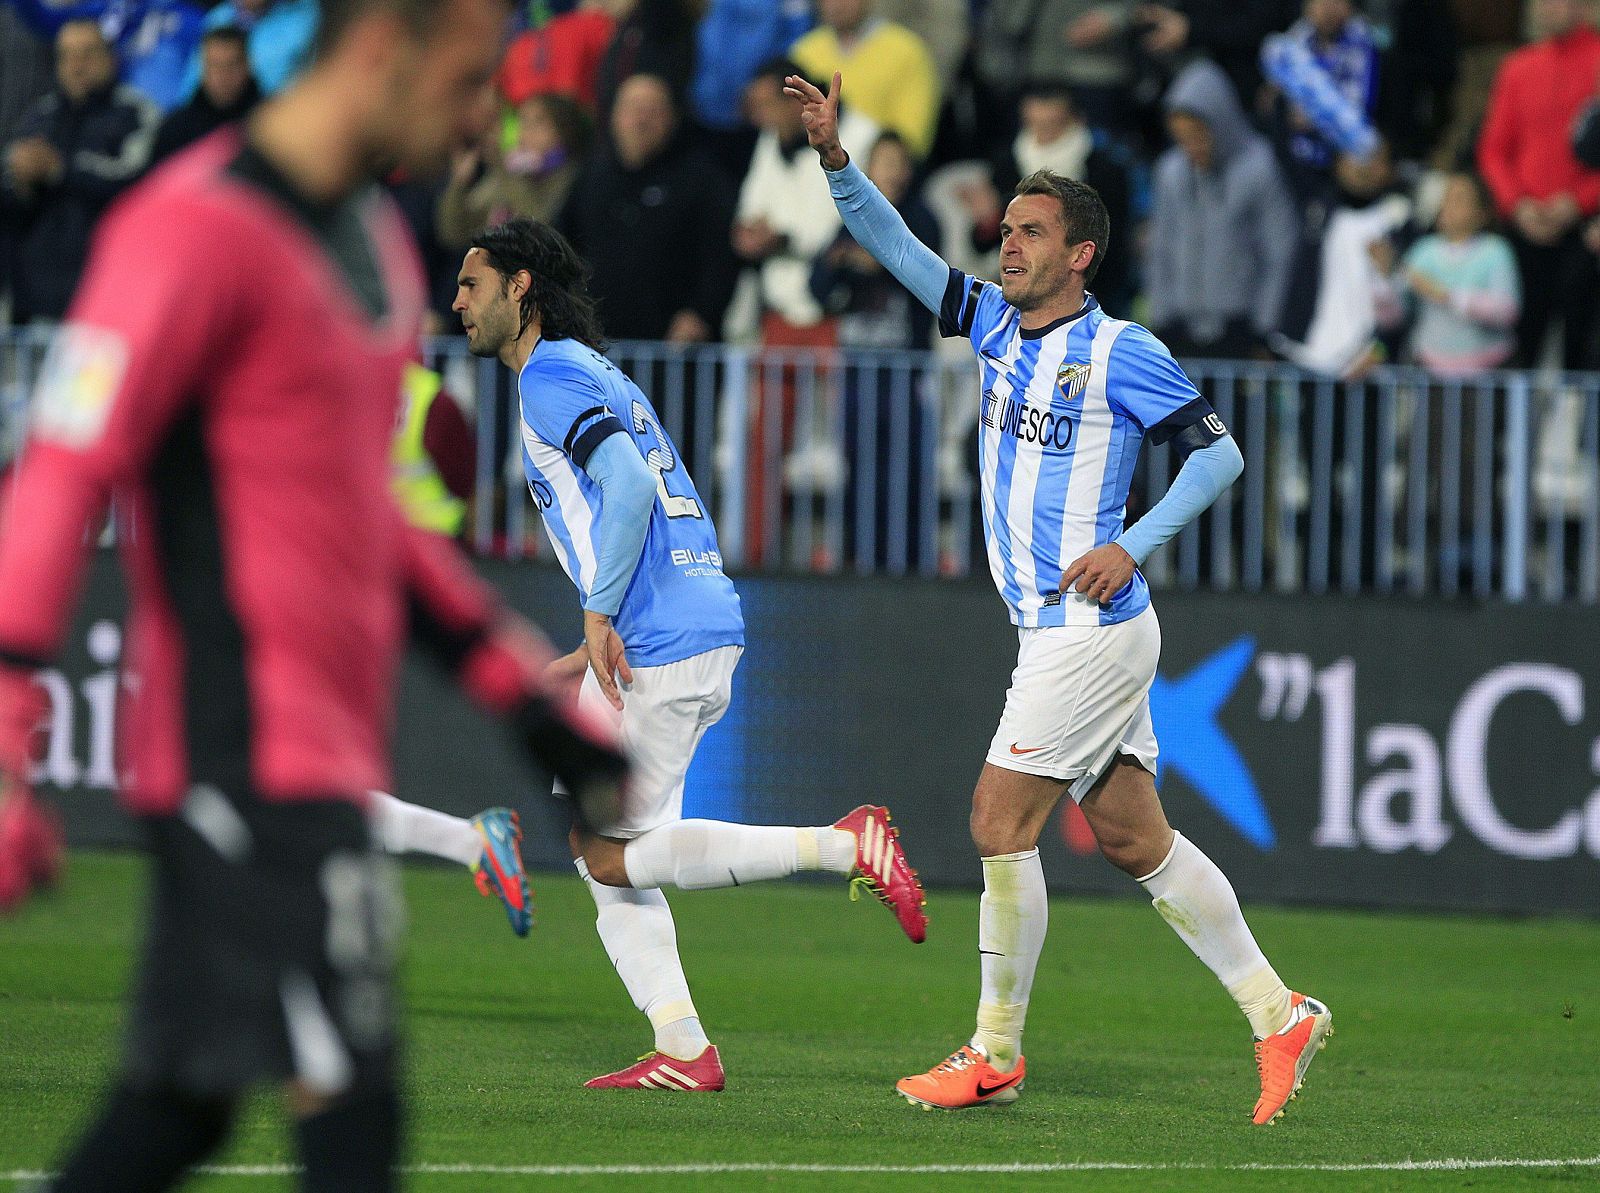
<point>1068,397</point>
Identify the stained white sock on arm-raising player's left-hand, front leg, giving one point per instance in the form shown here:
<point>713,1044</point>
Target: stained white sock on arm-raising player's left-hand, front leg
<point>1012,922</point>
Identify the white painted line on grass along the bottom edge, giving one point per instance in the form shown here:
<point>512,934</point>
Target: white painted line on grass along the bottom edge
<point>1454,1165</point>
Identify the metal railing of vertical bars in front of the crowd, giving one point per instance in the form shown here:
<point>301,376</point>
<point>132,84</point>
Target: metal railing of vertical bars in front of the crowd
<point>865,461</point>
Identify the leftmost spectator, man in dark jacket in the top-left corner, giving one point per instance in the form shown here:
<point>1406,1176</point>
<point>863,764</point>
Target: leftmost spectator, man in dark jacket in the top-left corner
<point>79,148</point>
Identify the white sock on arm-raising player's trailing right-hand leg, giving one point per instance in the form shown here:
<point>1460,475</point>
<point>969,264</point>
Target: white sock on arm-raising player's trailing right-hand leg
<point>1199,903</point>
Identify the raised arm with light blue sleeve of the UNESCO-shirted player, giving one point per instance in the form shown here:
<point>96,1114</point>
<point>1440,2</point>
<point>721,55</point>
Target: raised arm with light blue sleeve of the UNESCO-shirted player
<point>871,218</point>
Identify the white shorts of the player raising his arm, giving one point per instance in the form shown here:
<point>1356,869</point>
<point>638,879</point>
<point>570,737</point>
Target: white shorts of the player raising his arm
<point>1081,695</point>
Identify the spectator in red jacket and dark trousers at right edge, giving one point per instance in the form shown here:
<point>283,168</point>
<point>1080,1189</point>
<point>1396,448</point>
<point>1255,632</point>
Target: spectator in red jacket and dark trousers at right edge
<point>1540,186</point>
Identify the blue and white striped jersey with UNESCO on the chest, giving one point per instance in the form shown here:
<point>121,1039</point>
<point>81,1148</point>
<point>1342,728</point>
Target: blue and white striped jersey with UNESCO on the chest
<point>1065,412</point>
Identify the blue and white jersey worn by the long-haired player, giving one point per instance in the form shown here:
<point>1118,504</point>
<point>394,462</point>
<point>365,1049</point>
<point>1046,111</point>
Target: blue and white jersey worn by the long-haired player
<point>679,602</point>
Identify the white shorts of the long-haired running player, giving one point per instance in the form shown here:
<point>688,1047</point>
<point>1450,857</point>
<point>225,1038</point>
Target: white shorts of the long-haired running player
<point>666,711</point>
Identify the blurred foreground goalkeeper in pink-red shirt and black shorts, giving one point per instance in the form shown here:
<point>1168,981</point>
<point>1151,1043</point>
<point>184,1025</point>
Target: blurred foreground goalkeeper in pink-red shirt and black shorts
<point>230,375</point>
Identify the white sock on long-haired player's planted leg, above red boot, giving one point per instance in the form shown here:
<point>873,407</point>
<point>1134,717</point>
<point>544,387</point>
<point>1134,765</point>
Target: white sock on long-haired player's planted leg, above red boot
<point>639,936</point>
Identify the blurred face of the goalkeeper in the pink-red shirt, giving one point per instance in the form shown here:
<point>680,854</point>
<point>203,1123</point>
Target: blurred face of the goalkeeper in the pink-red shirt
<point>439,95</point>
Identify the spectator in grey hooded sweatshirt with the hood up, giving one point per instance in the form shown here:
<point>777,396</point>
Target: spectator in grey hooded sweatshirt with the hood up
<point>1223,226</point>
